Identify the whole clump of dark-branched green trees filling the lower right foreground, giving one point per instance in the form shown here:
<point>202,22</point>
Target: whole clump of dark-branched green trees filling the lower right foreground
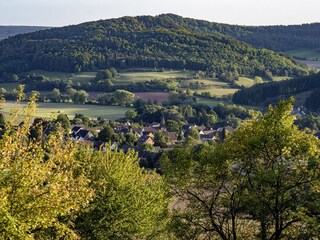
<point>261,182</point>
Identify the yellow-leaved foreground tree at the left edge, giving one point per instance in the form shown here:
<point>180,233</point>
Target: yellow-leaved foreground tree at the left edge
<point>42,187</point>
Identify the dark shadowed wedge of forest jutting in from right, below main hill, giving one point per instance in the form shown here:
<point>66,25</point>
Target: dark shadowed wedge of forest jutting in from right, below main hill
<point>261,92</point>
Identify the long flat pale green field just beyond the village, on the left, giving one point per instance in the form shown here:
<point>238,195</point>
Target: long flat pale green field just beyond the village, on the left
<point>51,110</point>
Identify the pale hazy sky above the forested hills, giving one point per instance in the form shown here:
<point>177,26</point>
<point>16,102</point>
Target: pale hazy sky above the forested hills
<point>242,12</point>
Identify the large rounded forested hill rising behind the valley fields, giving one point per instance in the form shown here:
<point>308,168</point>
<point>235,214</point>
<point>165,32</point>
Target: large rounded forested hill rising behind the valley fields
<point>143,41</point>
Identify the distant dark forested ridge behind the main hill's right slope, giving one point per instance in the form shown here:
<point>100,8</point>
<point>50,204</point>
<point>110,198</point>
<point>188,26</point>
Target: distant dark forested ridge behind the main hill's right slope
<point>277,38</point>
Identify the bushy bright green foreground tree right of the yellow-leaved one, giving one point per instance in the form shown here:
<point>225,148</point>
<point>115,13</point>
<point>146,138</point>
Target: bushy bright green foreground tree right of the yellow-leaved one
<point>129,203</point>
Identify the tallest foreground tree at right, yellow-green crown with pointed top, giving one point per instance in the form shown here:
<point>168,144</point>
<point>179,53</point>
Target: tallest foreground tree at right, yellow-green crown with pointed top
<point>277,163</point>
